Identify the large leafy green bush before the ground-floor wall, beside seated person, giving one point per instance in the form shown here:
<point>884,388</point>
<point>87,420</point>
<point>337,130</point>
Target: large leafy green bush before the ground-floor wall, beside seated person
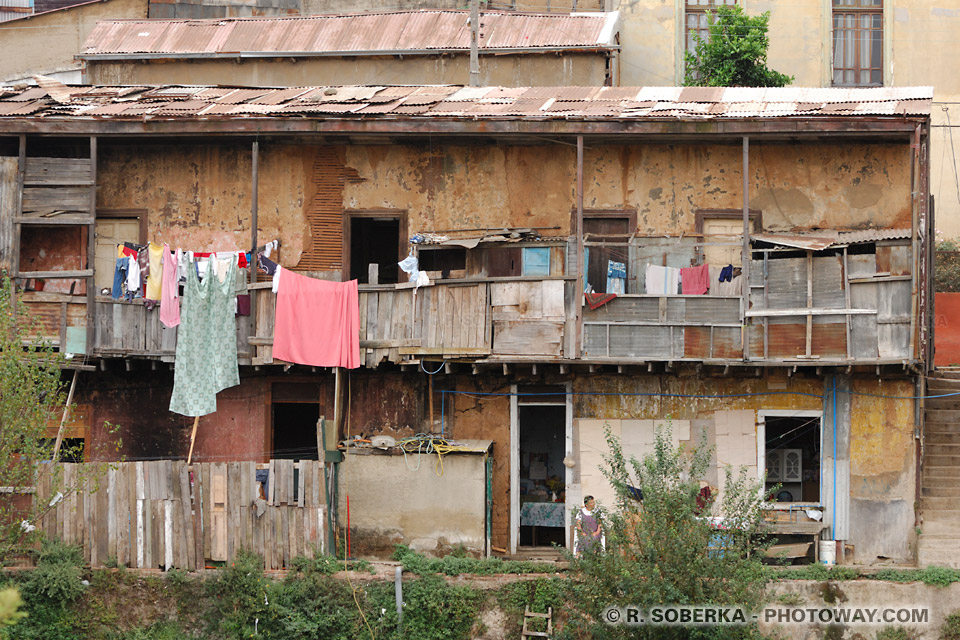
<point>666,551</point>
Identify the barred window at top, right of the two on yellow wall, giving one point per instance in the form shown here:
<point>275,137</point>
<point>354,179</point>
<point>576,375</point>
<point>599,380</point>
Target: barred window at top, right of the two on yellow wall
<point>858,42</point>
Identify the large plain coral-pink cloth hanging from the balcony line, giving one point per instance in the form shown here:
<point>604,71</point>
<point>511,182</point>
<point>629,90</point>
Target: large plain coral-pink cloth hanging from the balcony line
<point>318,321</point>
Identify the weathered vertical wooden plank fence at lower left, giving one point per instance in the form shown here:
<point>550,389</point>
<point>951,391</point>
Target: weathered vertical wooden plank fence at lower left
<point>165,515</point>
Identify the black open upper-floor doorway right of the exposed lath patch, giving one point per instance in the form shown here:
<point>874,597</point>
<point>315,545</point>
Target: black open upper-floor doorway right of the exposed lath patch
<point>374,238</point>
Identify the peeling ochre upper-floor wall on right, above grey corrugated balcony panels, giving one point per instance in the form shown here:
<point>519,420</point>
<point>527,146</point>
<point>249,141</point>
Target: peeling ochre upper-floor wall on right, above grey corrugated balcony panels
<point>795,186</point>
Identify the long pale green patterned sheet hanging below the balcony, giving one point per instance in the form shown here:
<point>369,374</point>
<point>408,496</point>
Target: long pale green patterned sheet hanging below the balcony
<point>206,359</point>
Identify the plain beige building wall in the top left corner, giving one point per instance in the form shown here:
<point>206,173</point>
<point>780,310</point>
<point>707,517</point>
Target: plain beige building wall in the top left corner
<point>47,42</point>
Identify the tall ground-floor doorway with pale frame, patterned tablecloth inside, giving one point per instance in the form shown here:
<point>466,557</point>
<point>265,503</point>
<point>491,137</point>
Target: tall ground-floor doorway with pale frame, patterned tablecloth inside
<point>541,435</point>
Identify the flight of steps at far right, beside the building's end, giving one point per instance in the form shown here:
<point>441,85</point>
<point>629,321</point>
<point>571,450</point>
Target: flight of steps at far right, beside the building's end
<point>939,542</point>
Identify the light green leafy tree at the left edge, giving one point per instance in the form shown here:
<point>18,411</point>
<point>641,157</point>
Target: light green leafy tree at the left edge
<point>31,399</point>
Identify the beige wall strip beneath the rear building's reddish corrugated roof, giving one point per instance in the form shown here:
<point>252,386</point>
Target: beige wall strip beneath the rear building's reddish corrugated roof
<point>577,69</point>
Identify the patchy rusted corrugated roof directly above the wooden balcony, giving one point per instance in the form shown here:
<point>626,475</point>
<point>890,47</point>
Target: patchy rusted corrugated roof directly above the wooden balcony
<point>57,100</point>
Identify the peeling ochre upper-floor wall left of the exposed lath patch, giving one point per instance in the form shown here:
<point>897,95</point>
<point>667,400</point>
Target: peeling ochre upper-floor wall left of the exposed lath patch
<point>198,195</point>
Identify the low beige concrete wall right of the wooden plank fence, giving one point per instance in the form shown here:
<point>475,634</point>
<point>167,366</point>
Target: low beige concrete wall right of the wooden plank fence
<point>392,501</point>
